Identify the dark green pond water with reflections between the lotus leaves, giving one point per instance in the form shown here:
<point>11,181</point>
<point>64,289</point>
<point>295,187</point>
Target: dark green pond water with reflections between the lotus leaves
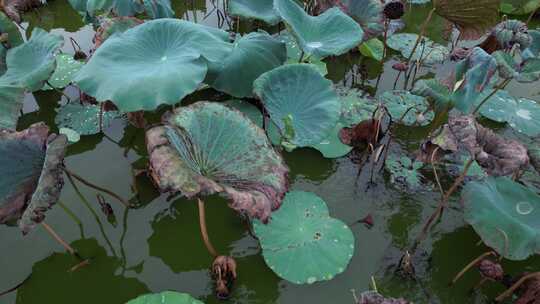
<point>157,246</point>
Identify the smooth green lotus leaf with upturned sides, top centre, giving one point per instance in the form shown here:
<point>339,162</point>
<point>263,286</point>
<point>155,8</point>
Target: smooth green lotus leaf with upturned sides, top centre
<point>331,33</point>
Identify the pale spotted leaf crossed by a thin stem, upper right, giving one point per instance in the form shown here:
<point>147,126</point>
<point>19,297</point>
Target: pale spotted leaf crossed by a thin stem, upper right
<point>427,50</point>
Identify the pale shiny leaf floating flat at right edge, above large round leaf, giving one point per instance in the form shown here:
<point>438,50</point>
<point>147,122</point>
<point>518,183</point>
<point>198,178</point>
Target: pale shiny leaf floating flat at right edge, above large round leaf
<point>522,114</point>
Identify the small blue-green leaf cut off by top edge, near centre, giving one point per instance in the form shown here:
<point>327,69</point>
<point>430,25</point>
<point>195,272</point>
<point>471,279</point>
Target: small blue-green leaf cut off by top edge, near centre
<point>261,10</point>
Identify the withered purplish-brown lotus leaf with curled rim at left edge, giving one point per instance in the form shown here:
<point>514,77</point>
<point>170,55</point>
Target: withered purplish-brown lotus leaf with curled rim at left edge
<point>31,179</point>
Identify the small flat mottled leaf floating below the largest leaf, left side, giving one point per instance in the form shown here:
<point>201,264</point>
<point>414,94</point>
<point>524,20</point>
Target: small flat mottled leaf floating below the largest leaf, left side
<point>84,119</point>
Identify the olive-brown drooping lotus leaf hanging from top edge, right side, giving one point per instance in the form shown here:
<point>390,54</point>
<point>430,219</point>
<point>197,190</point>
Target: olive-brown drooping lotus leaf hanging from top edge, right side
<point>472,18</point>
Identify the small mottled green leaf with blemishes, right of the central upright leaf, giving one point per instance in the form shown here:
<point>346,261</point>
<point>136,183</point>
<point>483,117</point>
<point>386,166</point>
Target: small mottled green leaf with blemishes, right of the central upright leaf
<point>407,108</point>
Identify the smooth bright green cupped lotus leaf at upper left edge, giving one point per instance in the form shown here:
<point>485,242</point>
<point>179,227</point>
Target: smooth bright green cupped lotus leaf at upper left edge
<point>32,63</point>
